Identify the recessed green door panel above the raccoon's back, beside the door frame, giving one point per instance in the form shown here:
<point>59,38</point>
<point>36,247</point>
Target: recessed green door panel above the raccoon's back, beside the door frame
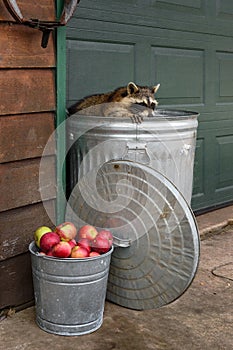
<point>96,66</point>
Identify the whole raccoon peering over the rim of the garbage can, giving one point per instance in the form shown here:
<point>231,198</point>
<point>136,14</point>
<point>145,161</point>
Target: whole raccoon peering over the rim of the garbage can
<point>132,101</point>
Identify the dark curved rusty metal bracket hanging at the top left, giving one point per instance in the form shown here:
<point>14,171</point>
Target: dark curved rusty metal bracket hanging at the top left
<point>45,26</point>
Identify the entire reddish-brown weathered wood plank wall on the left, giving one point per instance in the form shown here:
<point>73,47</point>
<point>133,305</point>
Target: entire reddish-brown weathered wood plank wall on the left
<point>27,111</point>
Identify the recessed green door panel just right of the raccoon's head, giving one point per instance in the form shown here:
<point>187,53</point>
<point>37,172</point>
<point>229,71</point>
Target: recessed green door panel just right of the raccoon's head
<point>168,66</point>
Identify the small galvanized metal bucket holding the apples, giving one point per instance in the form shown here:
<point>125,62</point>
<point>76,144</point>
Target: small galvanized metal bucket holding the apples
<point>69,293</point>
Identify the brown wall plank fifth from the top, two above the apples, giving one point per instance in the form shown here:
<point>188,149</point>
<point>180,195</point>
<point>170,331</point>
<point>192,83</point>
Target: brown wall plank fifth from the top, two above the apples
<point>19,182</point>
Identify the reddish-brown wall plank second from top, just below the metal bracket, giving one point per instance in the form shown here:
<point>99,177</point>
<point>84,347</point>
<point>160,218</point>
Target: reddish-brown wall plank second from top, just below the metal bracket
<point>20,46</point>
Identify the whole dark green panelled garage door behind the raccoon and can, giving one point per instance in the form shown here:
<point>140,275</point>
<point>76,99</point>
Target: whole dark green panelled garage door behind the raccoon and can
<point>187,46</point>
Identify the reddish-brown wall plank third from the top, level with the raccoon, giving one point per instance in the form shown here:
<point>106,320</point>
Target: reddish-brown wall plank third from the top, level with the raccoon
<point>26,91</point>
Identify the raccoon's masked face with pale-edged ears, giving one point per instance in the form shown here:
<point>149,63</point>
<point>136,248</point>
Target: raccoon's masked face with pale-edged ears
<point>142,95</point>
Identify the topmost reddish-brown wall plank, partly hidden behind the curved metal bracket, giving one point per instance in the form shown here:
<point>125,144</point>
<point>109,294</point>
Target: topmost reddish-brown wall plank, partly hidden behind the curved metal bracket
<point>43,10</point>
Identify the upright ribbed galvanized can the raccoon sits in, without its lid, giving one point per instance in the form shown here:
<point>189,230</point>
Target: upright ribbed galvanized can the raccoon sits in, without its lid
<point>165,142</point>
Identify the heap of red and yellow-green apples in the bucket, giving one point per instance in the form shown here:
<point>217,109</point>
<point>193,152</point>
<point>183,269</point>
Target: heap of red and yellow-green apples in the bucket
<point>62,243</point>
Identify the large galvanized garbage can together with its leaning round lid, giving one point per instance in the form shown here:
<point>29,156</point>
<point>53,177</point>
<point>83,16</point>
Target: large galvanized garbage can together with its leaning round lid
<point>136,180</point>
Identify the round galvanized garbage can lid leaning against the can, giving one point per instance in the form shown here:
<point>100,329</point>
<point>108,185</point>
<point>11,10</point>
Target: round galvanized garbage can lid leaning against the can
<point>154,229</point>
